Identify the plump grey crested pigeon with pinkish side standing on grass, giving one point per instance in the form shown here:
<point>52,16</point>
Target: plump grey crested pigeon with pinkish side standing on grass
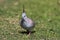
<point>26,23</point>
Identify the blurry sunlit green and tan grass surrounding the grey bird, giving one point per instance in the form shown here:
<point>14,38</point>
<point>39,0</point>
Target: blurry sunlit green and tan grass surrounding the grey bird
<point>45,13</point>
